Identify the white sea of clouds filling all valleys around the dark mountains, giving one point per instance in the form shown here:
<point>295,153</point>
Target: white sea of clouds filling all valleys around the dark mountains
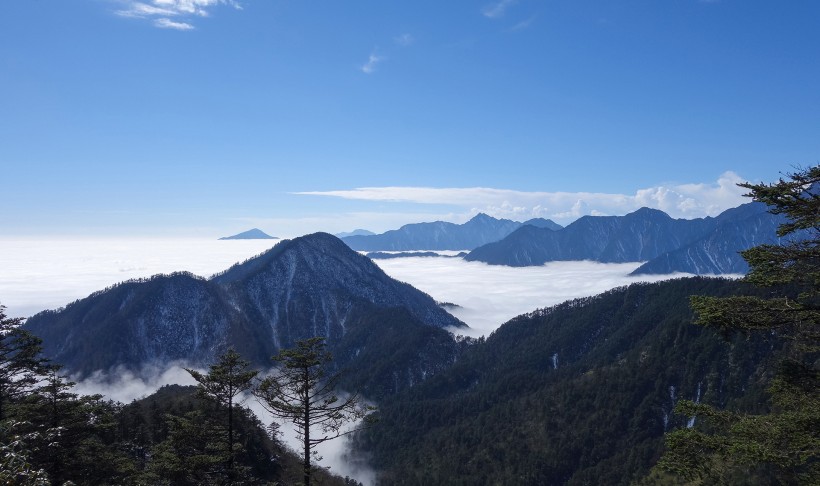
<point>39,274</point>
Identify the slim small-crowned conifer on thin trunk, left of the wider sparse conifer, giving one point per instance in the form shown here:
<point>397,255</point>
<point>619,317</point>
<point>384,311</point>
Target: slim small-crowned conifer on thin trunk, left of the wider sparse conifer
<point>224,381</point>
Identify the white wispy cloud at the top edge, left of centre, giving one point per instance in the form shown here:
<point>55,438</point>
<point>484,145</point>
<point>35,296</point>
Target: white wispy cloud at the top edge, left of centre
<point>160,11</point>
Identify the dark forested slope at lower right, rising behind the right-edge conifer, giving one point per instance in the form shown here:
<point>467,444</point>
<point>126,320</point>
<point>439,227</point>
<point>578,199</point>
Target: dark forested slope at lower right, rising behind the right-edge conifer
<point>580,393</point>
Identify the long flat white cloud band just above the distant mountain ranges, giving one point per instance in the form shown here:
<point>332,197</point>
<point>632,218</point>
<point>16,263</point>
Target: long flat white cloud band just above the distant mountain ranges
<point>678,200</point>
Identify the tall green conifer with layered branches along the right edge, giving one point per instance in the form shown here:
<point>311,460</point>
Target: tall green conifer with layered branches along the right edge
<point>783,444</point>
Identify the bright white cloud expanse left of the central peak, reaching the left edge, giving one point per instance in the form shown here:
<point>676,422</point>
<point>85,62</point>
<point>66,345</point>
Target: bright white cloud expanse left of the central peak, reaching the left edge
<point>46,273</point>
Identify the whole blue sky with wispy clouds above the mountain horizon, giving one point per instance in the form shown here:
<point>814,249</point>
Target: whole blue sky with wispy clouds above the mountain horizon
<point>208,117</point>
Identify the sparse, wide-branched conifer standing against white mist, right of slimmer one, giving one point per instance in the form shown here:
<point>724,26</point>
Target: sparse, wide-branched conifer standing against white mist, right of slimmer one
<point>301,391</point>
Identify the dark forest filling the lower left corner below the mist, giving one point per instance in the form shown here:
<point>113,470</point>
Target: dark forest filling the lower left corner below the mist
<point>50,435</point>
